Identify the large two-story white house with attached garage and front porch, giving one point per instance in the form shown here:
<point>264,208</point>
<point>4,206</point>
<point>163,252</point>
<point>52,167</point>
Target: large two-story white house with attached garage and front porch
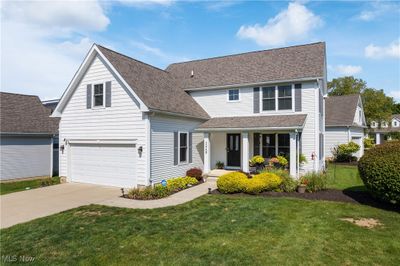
<point>126,123</point>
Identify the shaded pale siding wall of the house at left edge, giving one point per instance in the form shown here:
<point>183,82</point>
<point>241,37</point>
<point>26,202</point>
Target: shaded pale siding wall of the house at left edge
<point>23,157</point>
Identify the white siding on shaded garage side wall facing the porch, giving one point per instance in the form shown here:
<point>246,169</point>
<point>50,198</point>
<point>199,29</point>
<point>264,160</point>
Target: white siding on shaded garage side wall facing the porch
<point>162,146</point>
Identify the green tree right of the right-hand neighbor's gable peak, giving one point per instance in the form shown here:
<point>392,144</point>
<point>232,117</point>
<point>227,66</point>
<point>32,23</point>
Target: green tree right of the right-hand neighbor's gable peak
<point>377,106</point>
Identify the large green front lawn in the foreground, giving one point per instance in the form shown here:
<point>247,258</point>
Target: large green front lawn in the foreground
<point>212,230</point>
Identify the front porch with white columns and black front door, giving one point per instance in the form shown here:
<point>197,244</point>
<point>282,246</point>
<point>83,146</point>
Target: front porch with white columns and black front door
<point>235,148</point>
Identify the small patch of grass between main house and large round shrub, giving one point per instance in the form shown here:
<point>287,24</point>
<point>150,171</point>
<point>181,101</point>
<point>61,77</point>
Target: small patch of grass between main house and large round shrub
<point>344,177</point>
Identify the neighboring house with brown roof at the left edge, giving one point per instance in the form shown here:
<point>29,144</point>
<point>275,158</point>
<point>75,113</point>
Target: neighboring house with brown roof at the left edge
<point>26,132</point>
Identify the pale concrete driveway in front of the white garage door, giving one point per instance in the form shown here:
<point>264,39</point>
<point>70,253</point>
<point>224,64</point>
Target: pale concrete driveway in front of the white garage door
<point>24,206</point>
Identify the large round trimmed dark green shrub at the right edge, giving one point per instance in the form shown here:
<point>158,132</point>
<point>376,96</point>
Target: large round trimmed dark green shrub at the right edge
<point>380,171</point>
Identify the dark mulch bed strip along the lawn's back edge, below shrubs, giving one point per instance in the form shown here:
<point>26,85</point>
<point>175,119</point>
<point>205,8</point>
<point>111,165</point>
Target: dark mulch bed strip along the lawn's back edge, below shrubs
<point>356,197</point>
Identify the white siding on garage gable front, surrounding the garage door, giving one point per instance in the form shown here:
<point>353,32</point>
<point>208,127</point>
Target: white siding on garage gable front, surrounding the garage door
<point>122,121</point>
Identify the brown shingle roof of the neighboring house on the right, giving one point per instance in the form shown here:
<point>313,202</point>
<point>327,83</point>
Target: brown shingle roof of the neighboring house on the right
<point>340,110</point>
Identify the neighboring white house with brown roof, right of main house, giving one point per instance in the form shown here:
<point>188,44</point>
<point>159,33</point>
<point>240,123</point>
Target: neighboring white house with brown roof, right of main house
<point>344,122</point>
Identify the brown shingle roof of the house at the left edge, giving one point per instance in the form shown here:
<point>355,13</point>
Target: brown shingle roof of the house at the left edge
<point>25,114</point>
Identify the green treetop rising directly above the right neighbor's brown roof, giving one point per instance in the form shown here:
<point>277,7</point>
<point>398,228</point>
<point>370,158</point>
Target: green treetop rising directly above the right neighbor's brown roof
<point>345,86</point>
